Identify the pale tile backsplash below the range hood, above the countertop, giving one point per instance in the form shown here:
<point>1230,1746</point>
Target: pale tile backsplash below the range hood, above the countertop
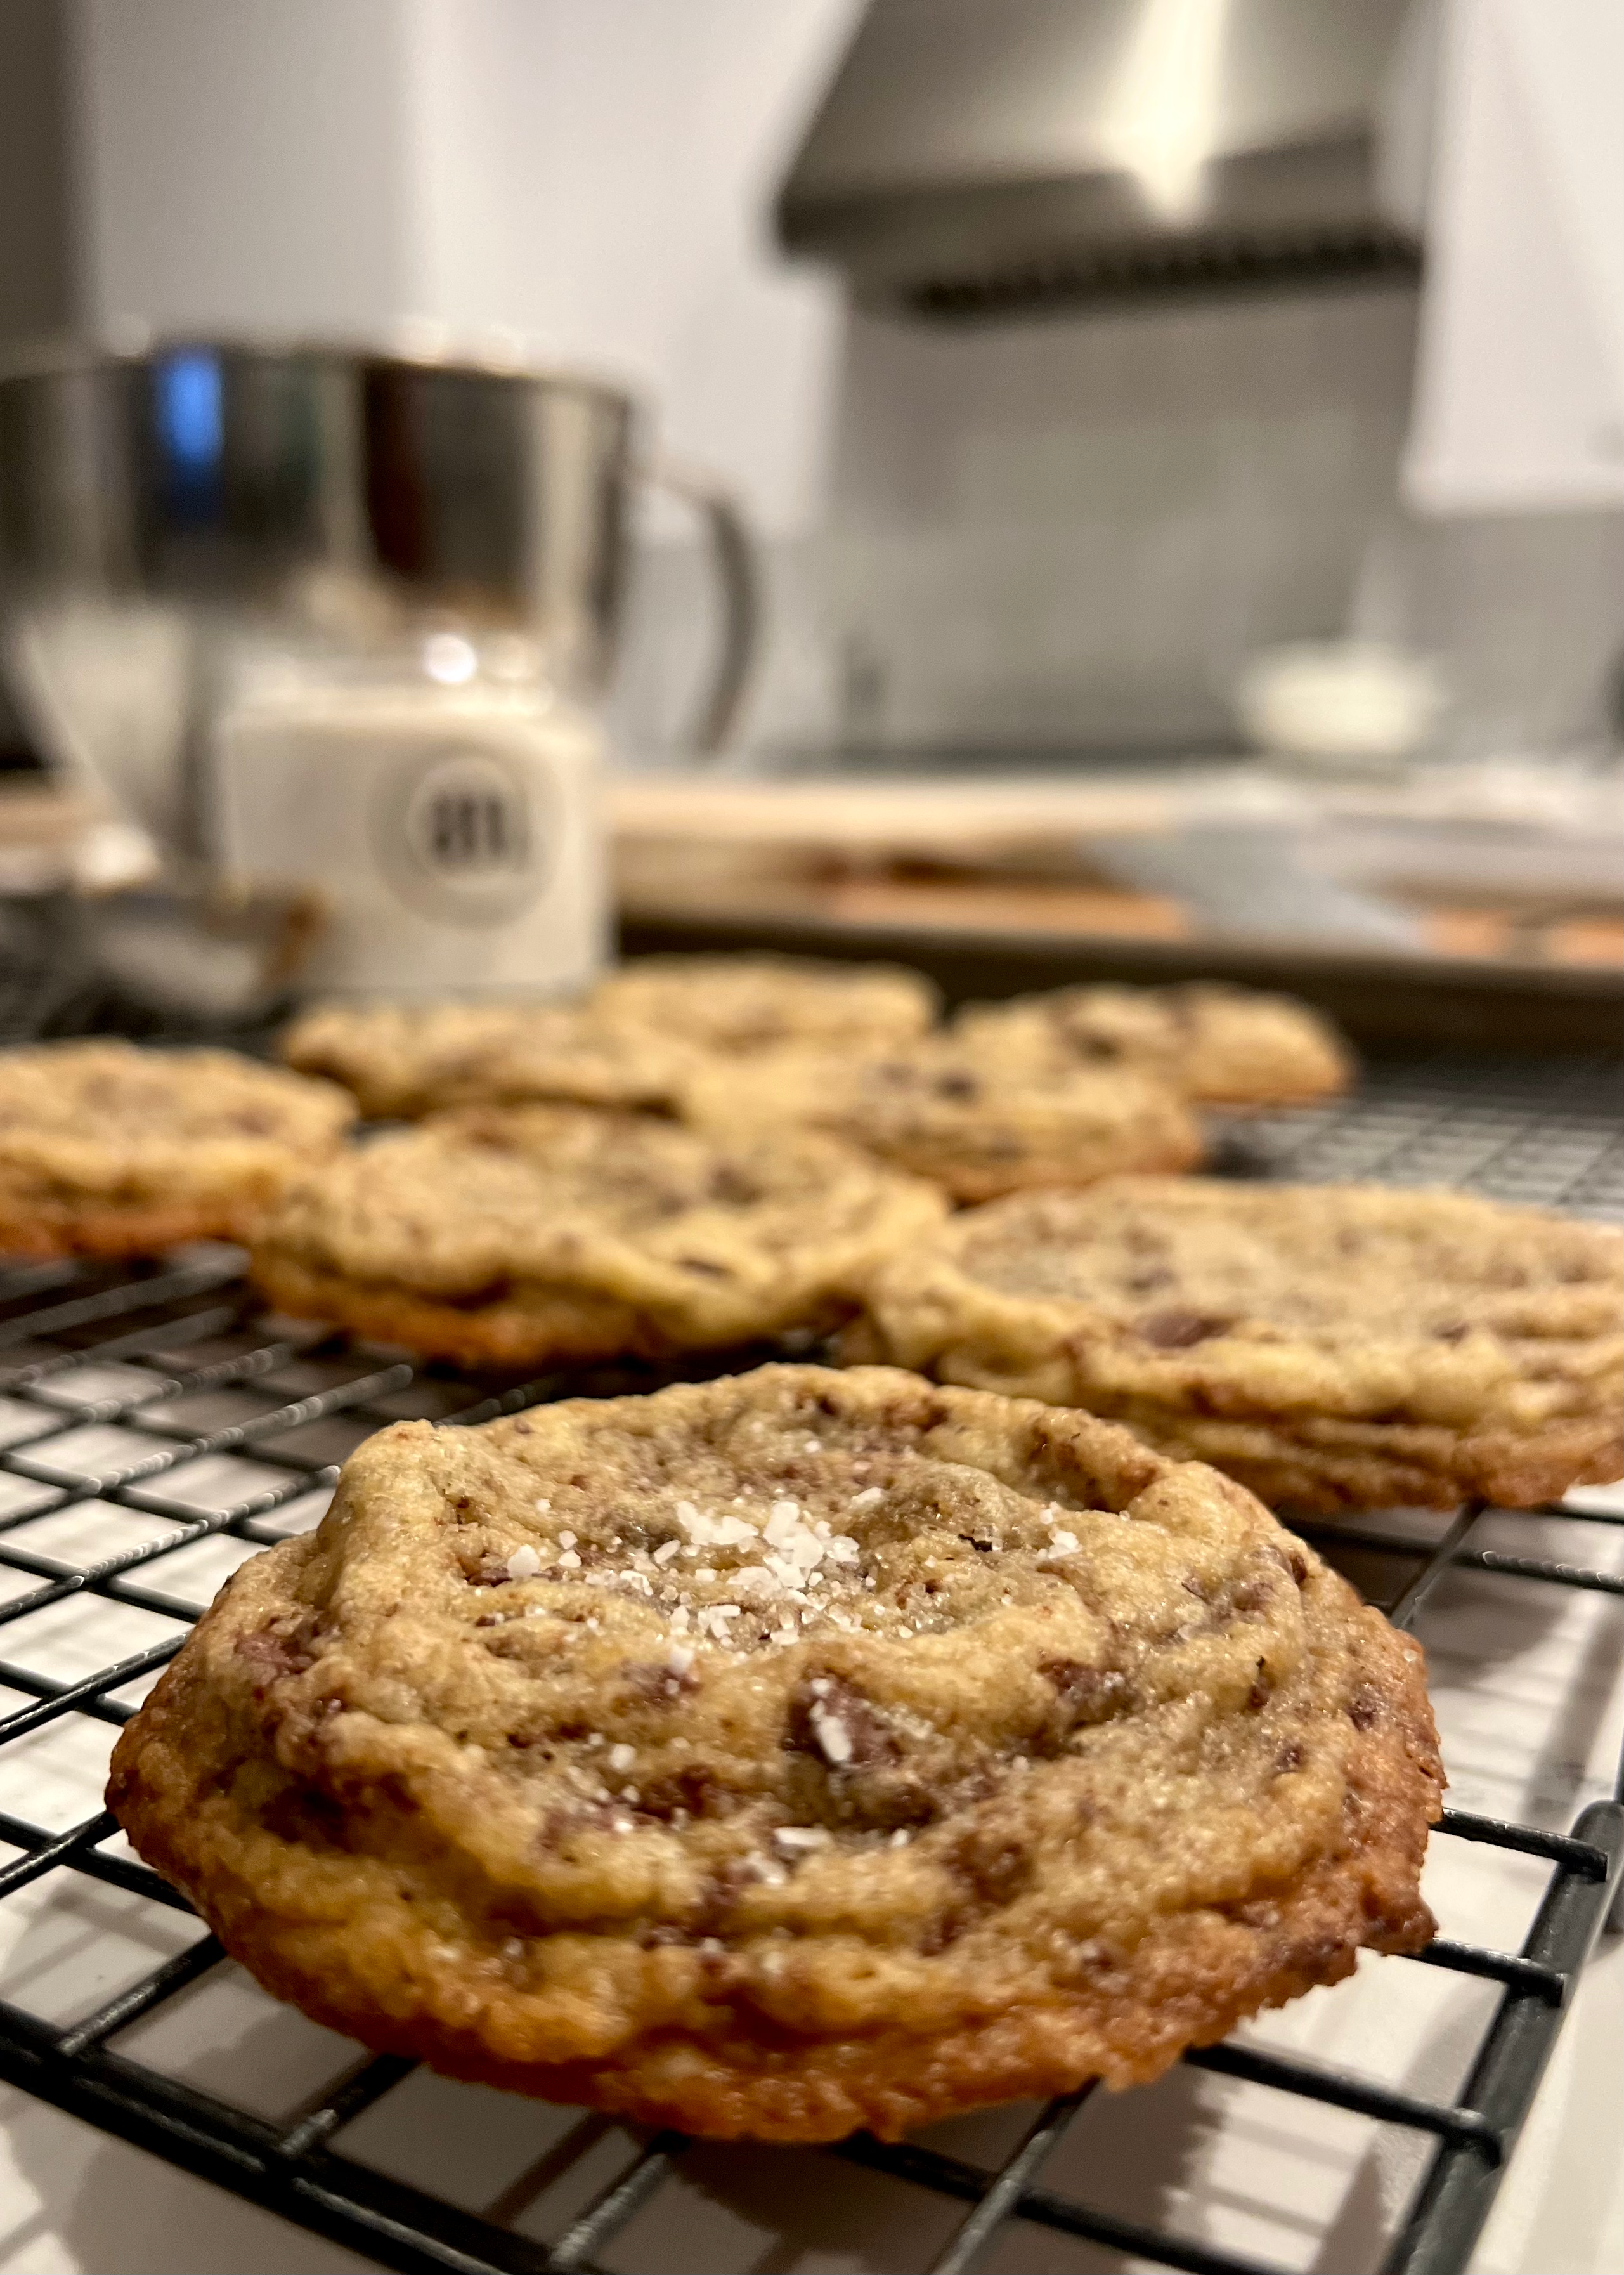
<point>1075,531</point>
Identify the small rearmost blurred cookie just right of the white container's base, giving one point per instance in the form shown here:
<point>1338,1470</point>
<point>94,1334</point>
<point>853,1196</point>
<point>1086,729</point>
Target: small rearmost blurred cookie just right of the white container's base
<point>761,1002</point>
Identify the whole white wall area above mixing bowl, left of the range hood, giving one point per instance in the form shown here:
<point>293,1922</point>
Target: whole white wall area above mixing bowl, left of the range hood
<point>586,176</point>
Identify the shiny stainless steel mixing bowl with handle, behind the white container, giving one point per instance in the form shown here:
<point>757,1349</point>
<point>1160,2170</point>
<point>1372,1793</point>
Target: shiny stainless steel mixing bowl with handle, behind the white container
<point>154,506</point>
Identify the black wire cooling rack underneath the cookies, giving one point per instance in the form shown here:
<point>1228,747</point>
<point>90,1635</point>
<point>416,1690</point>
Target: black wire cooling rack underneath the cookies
<point>158,1428</point>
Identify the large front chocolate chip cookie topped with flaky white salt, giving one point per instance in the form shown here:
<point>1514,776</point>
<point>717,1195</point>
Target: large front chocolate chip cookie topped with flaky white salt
<point>786,1755</point>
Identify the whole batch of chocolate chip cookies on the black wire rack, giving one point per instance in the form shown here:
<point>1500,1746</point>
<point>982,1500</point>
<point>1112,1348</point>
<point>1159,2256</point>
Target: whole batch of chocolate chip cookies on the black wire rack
<point>820,1746</point>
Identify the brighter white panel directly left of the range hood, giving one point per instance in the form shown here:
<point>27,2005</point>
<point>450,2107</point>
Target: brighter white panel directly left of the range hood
<point>597,179</point>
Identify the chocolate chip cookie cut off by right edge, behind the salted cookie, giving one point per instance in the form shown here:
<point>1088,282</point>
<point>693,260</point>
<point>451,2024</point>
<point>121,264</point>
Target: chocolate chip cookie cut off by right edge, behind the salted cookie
<point>1332,1348</point>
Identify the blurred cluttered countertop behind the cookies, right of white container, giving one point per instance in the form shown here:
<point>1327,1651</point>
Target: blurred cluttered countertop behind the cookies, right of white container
<point>1491,863</point>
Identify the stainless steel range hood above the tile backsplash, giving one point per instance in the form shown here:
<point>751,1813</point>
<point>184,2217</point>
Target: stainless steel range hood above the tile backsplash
<point>995,158</point>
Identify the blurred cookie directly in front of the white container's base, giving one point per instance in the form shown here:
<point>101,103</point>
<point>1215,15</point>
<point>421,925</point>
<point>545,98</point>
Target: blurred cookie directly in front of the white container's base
<point>415,1059</point>
